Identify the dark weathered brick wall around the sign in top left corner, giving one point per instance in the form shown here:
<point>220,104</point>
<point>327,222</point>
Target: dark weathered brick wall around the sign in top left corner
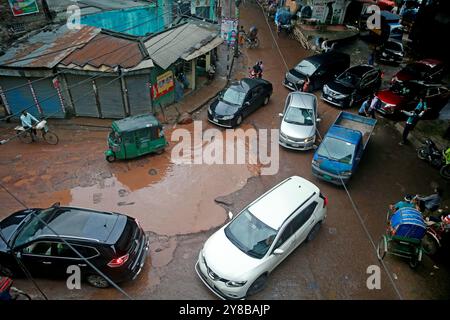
<point>12,27</point>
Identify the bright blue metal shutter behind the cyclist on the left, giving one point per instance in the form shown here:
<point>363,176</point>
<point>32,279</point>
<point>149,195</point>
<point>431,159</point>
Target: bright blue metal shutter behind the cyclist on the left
<point>51,107</point>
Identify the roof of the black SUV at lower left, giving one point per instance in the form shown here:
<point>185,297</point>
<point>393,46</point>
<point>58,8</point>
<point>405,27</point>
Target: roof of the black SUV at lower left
<point>79,223</point>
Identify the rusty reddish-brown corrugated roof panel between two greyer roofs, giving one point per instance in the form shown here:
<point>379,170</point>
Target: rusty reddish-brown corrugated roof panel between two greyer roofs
<point>106,50</point>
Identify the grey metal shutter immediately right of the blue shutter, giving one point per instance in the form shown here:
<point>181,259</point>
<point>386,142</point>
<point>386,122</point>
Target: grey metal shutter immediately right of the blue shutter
<point>83,96</point>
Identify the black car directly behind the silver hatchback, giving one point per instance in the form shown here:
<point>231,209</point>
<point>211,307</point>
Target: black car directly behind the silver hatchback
<point>319,68</point>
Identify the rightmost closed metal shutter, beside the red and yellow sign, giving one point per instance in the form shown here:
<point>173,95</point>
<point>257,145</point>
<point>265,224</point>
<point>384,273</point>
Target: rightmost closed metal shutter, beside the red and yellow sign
<point>139,94</point>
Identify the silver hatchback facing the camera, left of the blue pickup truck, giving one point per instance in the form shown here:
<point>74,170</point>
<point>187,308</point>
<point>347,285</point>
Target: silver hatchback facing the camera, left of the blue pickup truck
<point>299,121</point>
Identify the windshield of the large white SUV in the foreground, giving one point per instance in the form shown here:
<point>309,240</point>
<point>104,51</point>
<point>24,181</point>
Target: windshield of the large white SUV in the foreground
<point>250,235</point>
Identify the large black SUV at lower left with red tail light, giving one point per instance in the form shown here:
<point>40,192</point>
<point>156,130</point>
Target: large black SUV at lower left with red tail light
<point>114,243</point>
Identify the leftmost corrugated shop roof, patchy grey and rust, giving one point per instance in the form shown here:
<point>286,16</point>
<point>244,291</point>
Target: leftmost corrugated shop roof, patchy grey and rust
<point>46,49</point>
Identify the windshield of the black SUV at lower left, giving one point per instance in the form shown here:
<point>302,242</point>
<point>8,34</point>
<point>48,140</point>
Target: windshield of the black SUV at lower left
<point>35,226</point>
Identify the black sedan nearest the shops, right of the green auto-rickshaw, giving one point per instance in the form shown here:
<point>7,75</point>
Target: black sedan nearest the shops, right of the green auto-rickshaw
<point>238,100</point>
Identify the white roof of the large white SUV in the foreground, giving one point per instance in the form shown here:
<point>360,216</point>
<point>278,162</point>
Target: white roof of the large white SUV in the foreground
<point>276,205</point>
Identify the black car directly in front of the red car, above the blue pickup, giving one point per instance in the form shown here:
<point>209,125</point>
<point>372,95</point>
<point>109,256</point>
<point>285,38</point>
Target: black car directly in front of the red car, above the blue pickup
<point>352,86</point>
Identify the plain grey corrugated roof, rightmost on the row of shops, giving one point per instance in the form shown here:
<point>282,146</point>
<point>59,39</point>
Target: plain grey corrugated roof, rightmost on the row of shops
<point>167,47</point>
